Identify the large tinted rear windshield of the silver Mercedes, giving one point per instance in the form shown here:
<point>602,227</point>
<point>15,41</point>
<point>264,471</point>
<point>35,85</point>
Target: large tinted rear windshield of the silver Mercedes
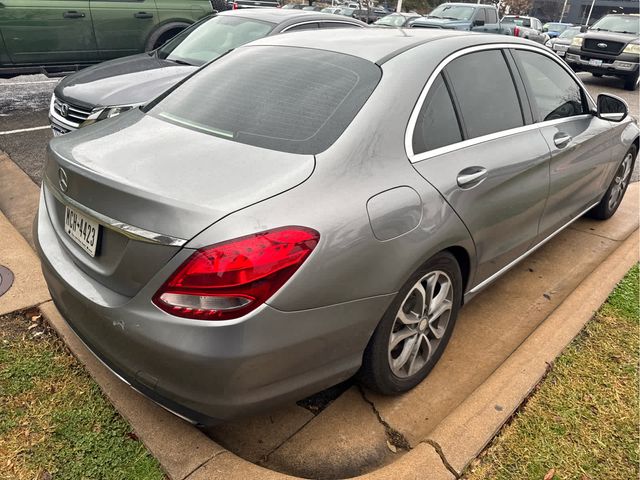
<point>281,98</point>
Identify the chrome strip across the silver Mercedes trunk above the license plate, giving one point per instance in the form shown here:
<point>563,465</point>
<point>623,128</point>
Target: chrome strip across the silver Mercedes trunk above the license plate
<point>130,231</point>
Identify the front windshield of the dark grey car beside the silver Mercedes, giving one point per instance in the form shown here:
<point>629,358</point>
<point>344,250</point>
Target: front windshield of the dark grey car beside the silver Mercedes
<point>213,38</point>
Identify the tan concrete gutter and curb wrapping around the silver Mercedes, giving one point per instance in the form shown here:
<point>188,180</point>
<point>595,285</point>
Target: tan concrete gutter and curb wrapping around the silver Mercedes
<point>499,351</point>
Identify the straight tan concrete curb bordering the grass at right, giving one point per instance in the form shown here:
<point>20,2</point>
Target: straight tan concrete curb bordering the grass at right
<point>463,434</point>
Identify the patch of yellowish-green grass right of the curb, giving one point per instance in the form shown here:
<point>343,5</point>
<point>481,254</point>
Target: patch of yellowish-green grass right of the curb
<point>582,421</point>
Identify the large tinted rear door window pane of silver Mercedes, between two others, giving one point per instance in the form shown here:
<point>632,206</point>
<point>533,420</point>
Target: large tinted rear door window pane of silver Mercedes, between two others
<point>485,92</point>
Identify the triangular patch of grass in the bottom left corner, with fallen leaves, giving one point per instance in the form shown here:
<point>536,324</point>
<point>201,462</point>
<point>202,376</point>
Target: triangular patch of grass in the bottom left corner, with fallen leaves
<point>54,420</point>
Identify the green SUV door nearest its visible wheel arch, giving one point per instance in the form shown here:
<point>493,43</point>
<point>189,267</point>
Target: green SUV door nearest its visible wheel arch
<point>122,27</point>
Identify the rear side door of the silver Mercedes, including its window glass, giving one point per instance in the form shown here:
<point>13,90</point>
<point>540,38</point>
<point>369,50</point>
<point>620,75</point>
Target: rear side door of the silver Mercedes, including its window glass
<point>471,141</point>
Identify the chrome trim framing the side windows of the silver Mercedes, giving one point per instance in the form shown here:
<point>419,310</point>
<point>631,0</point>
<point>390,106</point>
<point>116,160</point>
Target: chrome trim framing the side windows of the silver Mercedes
<point>408,138</point>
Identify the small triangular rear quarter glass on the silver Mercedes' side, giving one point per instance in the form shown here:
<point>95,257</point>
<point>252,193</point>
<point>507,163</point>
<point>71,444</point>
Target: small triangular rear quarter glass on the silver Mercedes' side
<point>437,125</point>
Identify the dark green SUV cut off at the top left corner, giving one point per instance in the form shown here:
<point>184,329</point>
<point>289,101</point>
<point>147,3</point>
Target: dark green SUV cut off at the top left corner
<point>63,35</point>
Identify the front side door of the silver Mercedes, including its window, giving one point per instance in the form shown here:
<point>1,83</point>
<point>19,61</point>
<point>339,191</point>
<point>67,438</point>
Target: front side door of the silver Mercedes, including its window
<point>580,147</point>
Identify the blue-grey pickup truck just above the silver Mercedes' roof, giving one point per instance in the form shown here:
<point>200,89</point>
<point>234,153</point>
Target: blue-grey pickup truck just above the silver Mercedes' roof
<point>458,16</point>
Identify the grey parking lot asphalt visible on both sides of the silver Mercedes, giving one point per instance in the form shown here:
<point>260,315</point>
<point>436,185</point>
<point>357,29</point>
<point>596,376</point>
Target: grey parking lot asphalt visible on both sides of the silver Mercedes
<point>24,102</point>
